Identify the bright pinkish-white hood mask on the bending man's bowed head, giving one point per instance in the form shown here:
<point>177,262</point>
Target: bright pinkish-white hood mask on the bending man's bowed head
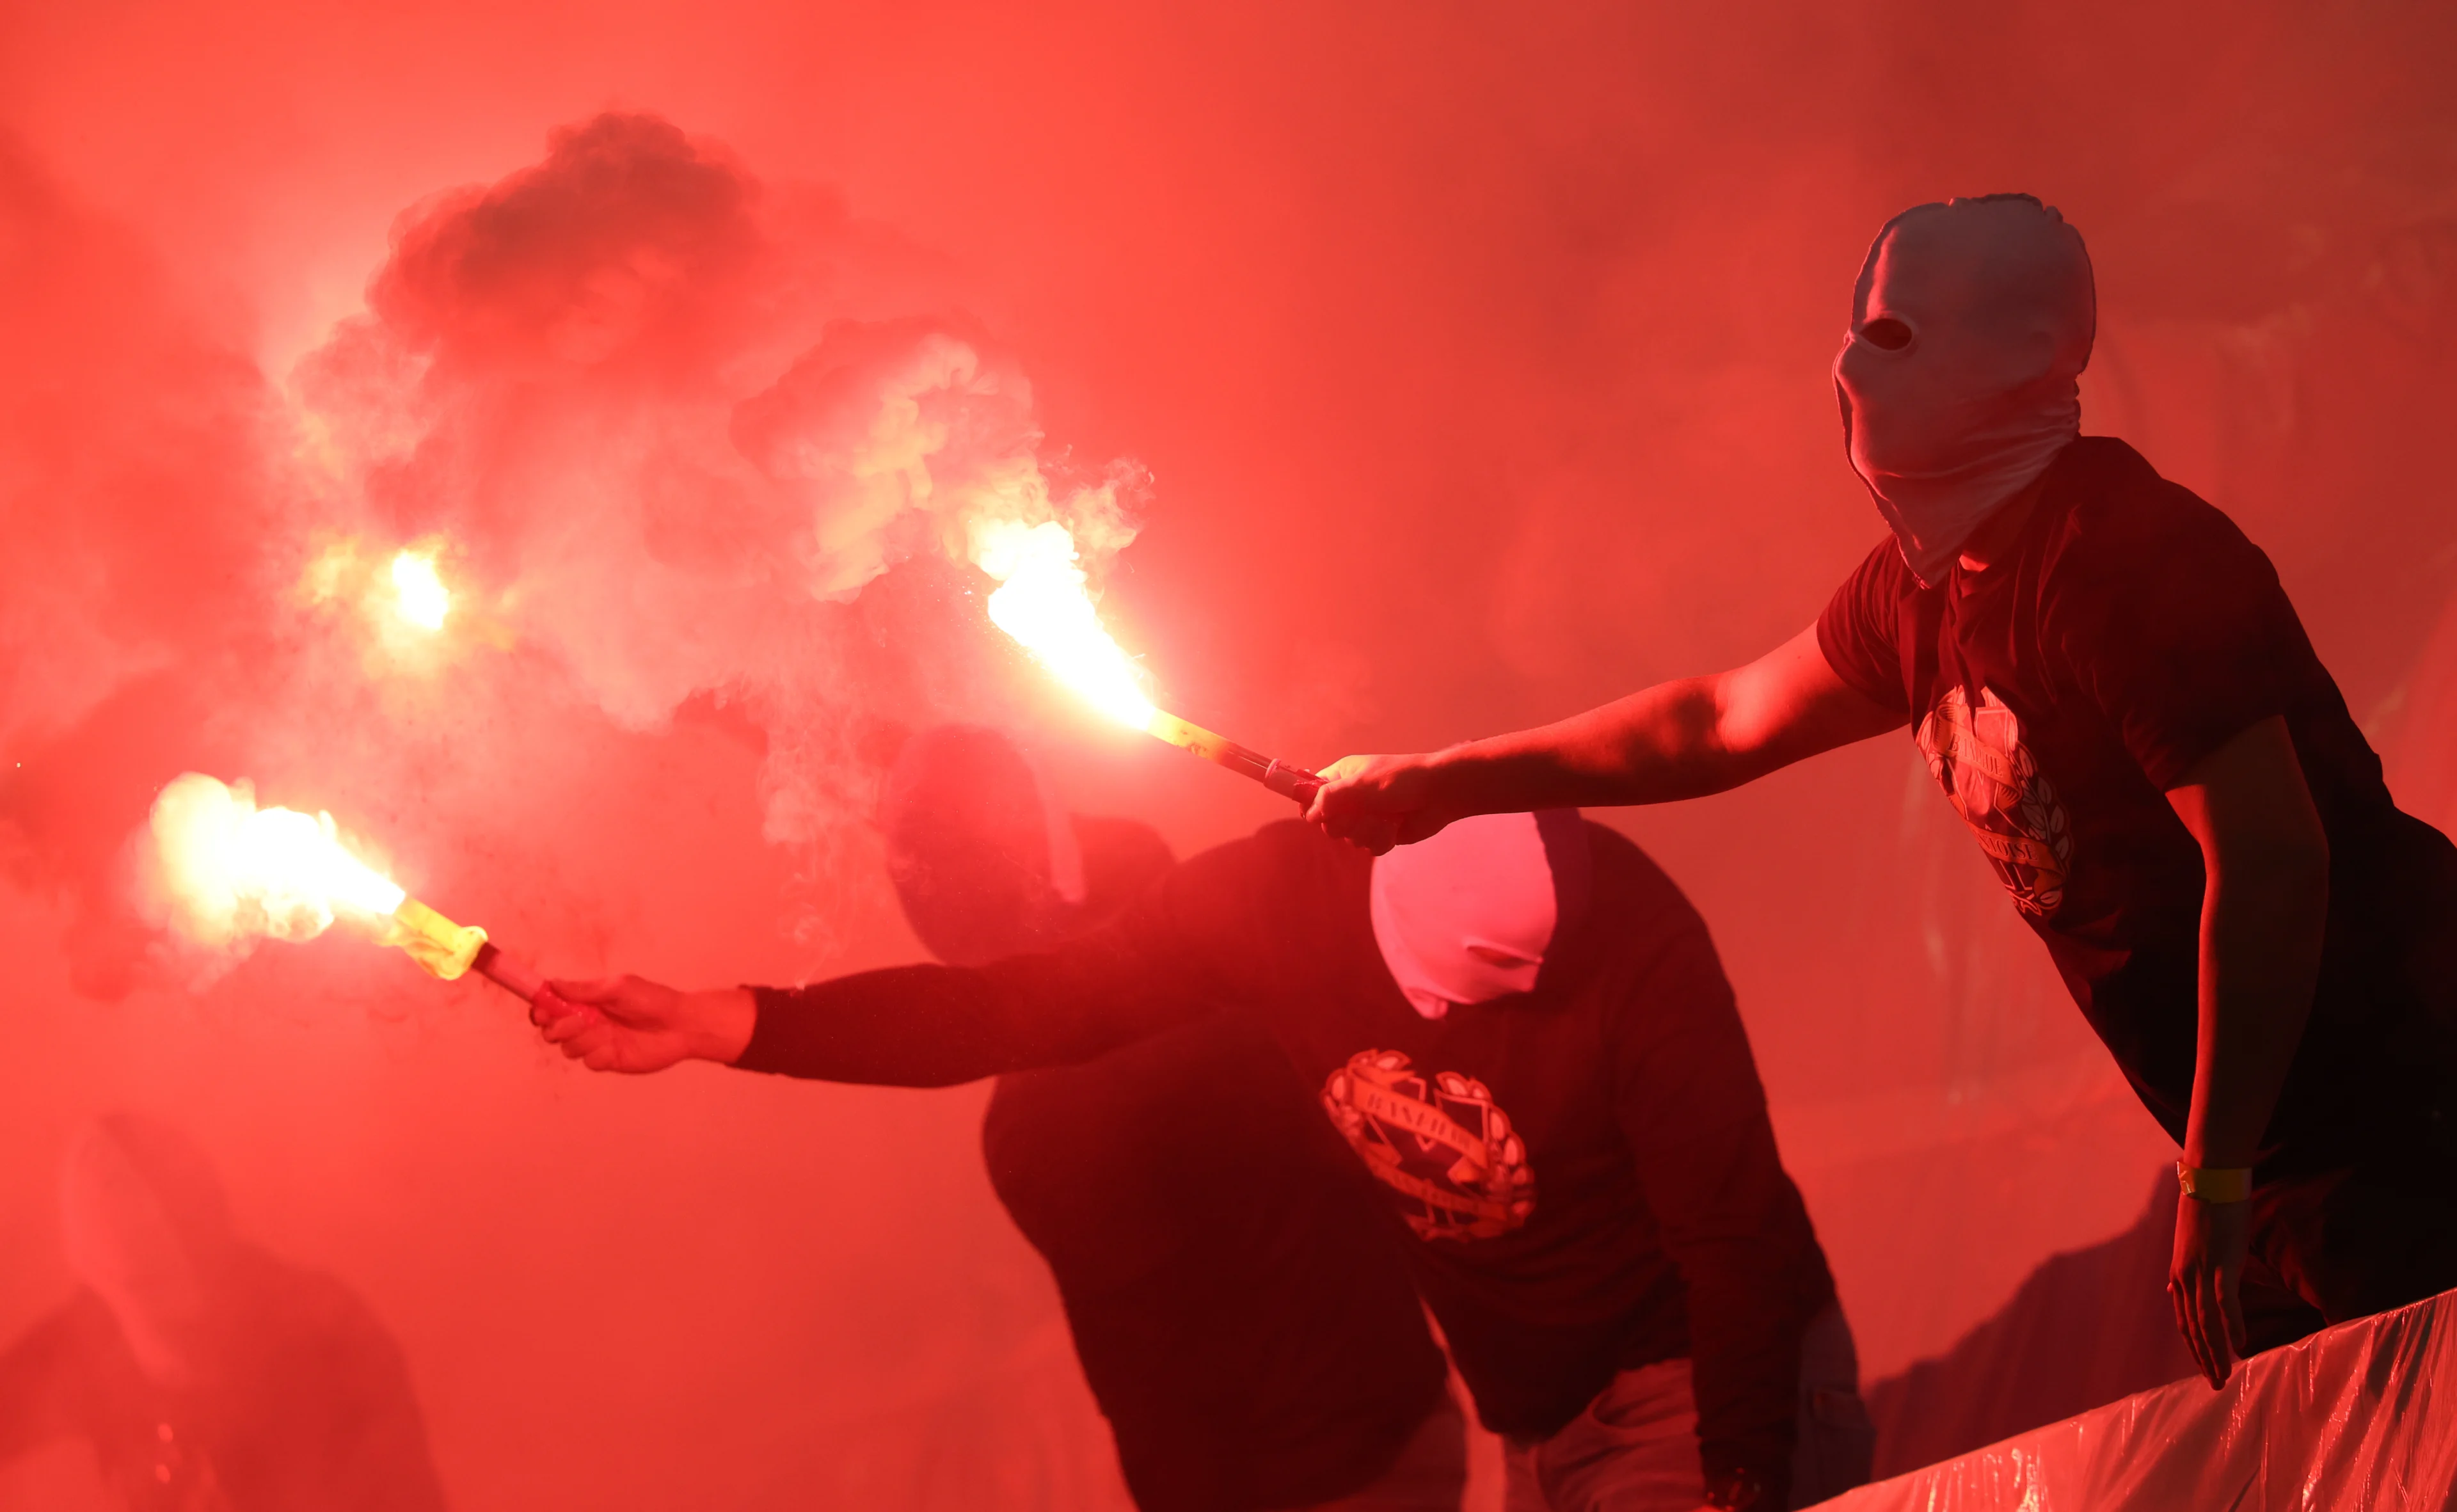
<point>1473,913</point>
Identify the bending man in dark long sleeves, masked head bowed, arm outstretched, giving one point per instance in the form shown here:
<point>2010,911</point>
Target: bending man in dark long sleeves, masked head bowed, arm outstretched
<point>1527,1039</point>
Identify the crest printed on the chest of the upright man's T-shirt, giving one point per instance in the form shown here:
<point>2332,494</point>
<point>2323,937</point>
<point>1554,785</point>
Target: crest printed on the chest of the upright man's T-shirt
<point>1979,758</point>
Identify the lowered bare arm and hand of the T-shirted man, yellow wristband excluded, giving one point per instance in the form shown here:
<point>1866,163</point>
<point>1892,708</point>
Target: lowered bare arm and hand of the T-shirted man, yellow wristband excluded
<point>2264,913</point>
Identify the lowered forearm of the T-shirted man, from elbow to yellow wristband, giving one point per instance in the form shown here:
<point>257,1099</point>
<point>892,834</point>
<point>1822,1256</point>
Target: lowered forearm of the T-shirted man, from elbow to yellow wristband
<point>2262,943</point>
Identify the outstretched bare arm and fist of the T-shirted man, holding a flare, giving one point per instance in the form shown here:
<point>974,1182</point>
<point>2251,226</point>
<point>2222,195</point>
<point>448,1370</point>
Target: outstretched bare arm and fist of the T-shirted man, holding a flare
<point>1674,741</point>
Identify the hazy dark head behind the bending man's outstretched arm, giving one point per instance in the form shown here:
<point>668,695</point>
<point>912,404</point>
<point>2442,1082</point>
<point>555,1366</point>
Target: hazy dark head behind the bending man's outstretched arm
<point>984,864</point>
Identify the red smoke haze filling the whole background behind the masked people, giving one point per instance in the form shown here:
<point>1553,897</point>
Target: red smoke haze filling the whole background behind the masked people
<point>1458,368</point>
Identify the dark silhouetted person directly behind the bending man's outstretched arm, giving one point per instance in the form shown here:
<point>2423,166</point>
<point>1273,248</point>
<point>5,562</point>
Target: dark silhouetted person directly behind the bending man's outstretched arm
<point>1242,1309</point>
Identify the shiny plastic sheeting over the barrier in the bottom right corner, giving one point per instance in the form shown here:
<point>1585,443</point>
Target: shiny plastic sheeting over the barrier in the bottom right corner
<point>2357,1417</point>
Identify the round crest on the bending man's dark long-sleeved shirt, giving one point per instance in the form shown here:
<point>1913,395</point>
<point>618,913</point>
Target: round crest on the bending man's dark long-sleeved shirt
<point>1439,1142</point>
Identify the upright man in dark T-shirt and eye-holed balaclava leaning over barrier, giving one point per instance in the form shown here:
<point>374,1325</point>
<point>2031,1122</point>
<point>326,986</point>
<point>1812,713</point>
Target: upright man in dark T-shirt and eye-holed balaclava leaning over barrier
<point>2114,692</point>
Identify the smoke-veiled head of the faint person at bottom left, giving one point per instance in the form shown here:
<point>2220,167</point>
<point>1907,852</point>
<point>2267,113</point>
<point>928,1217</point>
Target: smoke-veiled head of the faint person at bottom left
<point>149,1230</point>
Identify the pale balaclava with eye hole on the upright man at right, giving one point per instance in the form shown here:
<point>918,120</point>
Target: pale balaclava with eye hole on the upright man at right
<point>1959,375</point>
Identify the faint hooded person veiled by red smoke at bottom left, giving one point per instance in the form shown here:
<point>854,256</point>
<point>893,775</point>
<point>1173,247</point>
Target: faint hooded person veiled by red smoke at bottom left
<point>205,1373</point>
